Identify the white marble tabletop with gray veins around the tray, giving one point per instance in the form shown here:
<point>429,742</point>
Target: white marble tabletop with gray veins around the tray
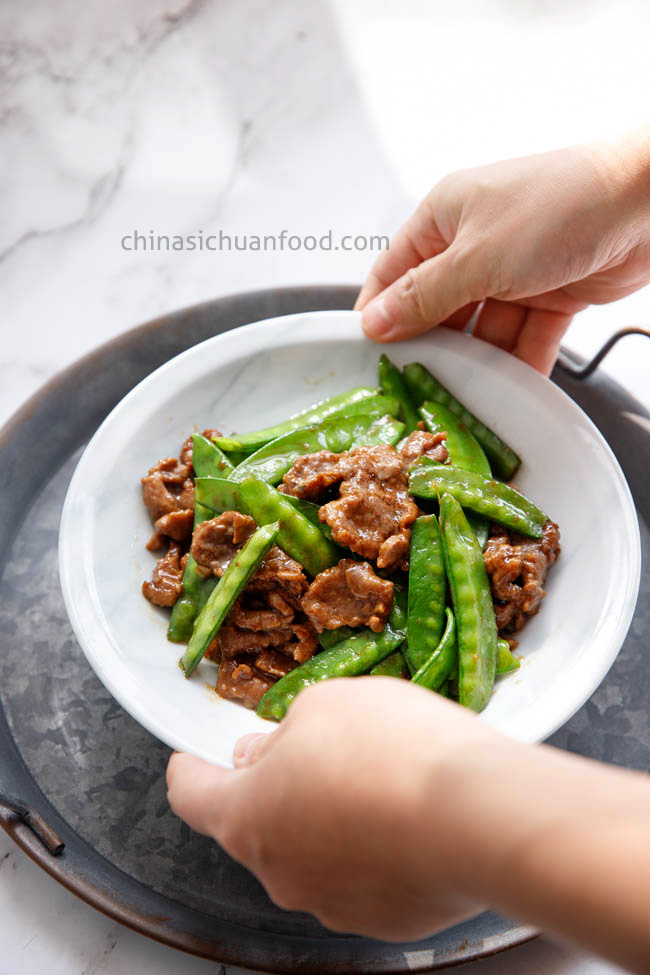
<point>250,116</point>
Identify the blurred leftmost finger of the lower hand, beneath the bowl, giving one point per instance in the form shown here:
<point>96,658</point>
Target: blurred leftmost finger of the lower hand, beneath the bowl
<point>195,790</point>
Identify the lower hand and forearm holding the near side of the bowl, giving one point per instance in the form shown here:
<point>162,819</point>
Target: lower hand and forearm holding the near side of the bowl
<point>386,810</point>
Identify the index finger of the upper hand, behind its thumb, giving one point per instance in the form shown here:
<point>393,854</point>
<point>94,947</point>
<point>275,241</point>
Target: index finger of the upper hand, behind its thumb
<point>417,240</point>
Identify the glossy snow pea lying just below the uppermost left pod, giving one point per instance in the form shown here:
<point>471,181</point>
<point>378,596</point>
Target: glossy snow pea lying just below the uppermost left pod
<point>272,461</point>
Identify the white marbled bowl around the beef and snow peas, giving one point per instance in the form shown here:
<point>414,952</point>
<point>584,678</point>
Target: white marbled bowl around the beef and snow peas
<point>260,374</point>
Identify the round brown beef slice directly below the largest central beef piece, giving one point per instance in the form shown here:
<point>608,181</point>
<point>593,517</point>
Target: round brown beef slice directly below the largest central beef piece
<point>349,594</point>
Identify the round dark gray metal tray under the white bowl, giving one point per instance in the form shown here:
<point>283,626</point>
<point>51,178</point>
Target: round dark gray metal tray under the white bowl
<point>70,755</point>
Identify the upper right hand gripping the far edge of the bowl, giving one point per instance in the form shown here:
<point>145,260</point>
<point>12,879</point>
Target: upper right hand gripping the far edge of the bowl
<point>536,239</point>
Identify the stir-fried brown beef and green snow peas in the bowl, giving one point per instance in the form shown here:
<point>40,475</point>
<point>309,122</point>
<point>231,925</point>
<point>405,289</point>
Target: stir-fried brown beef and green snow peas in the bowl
<point>373,533</point>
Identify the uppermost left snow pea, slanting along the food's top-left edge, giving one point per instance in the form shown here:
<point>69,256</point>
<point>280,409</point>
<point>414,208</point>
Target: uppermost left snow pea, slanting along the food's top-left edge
<point>364,399</point>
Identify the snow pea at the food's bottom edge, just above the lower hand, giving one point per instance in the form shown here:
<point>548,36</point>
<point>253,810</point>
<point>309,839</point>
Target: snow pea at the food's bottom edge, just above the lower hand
<point>350,658</point>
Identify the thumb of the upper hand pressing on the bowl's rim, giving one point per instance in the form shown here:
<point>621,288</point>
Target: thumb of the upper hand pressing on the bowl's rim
<point>424,297</point>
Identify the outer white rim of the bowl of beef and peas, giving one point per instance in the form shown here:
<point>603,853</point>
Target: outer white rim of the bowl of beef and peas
<point>568,701</point>
